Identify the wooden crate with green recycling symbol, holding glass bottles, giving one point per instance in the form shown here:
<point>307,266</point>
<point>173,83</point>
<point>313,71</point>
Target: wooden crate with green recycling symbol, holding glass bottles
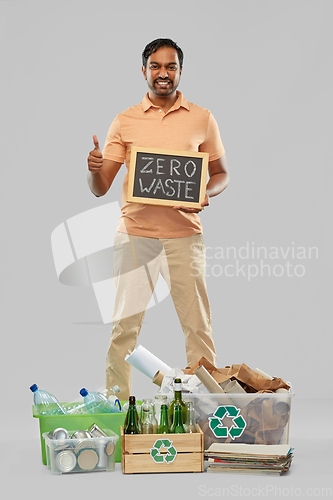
<point>142,453</point>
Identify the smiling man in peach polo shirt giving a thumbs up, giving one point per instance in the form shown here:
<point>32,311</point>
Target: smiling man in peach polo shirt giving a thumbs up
<point>169,237</point>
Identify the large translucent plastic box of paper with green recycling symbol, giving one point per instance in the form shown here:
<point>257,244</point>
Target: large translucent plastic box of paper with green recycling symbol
<point>252,418</point>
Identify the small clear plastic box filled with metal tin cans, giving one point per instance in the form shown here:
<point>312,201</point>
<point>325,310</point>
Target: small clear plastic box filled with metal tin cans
<point>81,455</point>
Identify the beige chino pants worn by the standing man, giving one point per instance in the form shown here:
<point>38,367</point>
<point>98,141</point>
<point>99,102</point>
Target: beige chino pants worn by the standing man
<point>138,261</point>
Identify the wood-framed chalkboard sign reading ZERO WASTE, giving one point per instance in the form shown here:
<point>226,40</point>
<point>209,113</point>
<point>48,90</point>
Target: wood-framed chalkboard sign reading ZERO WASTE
<point>167,177</point>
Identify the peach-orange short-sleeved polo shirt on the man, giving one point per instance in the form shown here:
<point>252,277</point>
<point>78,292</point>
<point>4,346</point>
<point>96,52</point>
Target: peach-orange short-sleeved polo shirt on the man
<point>185,127</point>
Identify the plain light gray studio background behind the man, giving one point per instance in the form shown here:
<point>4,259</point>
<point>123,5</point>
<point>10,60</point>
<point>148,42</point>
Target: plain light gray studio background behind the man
<point>264,69</point>
